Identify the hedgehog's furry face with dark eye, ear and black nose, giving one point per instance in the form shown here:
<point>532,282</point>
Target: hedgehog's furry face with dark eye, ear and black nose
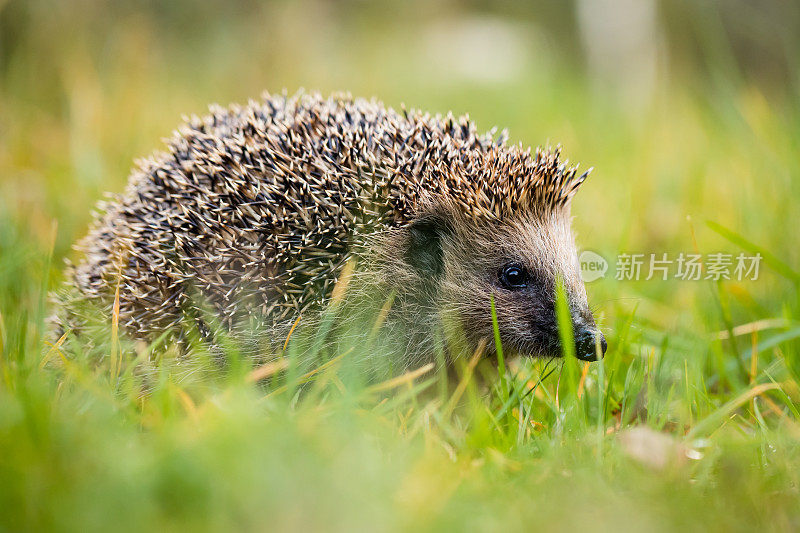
<point>519,263</point>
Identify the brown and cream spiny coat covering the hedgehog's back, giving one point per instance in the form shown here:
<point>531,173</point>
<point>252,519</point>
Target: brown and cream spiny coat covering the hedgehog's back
<point>257,208</point>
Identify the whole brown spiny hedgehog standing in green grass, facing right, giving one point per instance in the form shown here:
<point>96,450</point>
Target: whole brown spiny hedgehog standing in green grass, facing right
<point>254,212</point>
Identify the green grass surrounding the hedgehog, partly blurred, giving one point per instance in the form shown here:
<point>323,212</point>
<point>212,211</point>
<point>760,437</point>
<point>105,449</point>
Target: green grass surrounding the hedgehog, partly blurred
<point>710,369</point>
